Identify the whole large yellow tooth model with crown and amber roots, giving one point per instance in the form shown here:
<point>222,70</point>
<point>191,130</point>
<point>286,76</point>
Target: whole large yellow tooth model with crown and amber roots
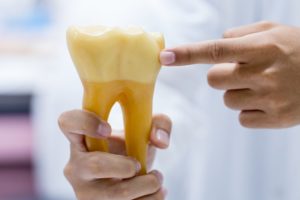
<point>118,65</point>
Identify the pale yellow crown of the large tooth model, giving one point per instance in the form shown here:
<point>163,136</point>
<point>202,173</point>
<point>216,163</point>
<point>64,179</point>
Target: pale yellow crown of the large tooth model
<point>104,54</point>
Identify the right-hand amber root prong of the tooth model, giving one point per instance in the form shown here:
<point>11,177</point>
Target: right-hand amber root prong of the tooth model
<point>137,111</point>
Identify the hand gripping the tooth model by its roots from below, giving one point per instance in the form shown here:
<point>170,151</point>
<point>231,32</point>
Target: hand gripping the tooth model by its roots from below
<point>114,175</point>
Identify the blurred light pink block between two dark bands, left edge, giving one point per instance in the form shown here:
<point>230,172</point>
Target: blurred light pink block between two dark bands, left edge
<point>15,139</point>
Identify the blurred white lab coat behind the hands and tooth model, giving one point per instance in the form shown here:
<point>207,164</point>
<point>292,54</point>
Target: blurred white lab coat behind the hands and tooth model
<point>211,156</point>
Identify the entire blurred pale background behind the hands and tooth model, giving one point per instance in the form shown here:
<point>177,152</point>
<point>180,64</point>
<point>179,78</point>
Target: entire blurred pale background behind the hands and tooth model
<point>211,157</point>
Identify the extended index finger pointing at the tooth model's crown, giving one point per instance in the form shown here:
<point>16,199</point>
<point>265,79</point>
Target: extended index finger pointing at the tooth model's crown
<point>210,52</point>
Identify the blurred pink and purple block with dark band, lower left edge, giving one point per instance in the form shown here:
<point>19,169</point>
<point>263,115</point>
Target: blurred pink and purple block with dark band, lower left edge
<point>16,180</point>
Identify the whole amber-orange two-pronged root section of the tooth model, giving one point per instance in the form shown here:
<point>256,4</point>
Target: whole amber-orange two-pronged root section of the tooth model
<point>136,102</point>
